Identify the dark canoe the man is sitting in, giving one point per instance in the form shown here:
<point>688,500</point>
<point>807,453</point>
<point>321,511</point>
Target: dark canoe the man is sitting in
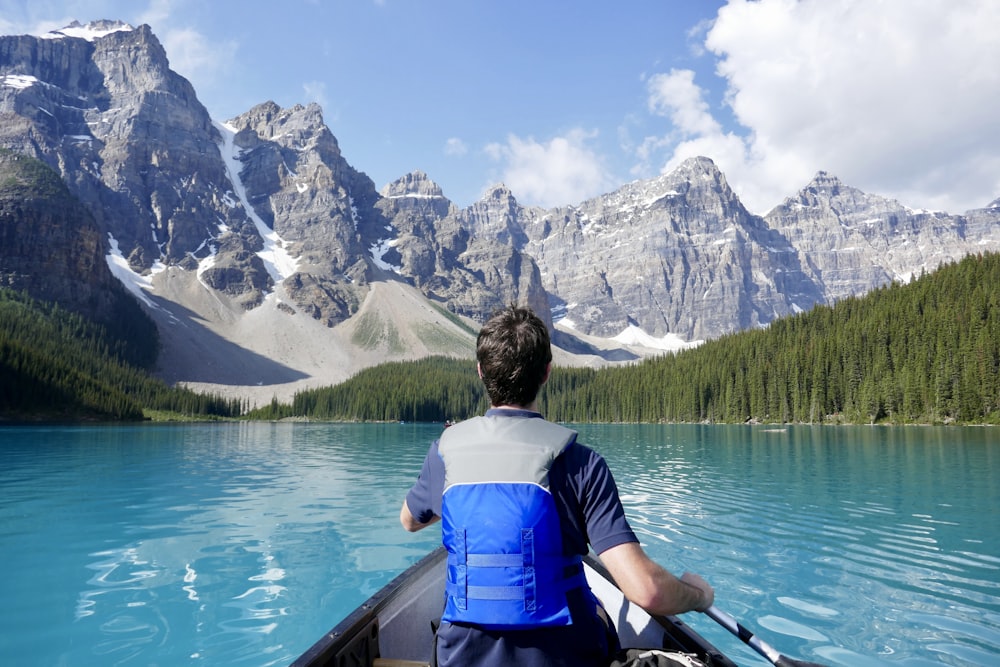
<point>393,628</point>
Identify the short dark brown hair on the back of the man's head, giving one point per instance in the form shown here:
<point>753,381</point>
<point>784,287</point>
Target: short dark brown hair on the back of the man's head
<point>513,351</point>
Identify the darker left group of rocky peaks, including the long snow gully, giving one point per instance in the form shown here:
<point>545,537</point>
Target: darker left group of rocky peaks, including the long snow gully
<point>261,200</point>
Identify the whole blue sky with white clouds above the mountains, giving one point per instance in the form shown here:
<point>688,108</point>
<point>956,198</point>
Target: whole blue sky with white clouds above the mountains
<point>563,100</point>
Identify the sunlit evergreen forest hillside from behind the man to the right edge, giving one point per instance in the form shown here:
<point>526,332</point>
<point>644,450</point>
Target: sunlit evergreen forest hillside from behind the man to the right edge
<point>924,352</point>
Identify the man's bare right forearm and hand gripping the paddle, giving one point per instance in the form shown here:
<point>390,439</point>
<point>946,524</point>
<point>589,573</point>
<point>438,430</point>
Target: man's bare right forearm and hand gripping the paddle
<point>653,588</point>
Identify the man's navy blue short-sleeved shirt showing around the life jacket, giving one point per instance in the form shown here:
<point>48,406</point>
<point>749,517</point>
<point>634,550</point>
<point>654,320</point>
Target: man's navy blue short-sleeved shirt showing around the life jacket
<point>590,513</point>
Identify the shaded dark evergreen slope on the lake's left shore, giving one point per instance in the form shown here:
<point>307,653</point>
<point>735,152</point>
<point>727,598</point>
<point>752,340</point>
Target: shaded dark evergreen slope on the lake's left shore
<point>58,365</point>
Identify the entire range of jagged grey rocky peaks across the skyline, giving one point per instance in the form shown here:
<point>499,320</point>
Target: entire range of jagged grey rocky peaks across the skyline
<point>265,205</point>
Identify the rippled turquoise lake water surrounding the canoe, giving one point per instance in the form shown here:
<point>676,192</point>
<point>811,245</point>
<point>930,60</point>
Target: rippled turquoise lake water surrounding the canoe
<point>241,544</point>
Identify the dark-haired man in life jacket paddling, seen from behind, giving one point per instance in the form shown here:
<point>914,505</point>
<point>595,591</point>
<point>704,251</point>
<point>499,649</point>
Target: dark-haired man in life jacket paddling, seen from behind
<point>520,500</point>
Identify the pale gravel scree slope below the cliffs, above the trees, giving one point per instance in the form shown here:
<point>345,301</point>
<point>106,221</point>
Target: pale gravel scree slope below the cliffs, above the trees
<point>273,351</point>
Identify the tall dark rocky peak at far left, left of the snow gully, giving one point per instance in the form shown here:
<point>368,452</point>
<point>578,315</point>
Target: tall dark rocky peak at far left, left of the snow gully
<point>126,133</point>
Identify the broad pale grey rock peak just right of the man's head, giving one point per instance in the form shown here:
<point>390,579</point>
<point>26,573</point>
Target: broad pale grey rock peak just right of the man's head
<point>678,254</point>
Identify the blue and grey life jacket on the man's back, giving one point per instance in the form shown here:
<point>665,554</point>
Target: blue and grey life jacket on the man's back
<point>506,567</point>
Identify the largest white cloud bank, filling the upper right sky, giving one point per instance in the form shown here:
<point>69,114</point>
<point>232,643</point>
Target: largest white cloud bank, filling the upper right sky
<point>893,97</point>
